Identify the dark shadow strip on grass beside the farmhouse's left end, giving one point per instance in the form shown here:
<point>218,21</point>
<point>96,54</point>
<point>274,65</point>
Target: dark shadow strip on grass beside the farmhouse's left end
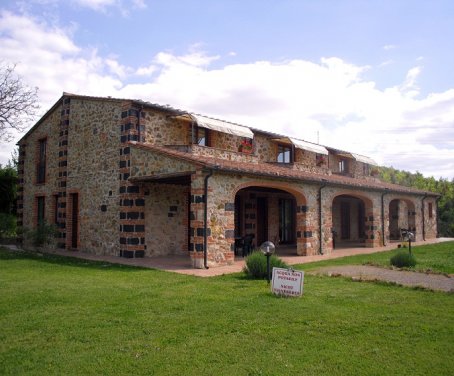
<point>6,254</point>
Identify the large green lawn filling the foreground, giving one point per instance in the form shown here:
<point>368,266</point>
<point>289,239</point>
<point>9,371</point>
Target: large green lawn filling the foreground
<point>73,317</point>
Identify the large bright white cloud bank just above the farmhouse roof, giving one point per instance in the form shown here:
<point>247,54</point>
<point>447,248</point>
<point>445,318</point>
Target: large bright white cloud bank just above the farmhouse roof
<point>295,97</point>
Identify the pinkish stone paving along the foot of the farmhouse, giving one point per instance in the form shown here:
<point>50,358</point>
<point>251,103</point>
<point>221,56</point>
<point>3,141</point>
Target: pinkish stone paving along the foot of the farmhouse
<point>182,264</point>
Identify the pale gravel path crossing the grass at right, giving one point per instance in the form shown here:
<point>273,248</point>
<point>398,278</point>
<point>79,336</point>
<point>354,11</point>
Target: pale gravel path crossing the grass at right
<point>372,273</point>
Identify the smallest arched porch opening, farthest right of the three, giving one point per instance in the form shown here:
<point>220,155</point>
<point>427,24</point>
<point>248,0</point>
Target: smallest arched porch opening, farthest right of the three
<point>401,216</point>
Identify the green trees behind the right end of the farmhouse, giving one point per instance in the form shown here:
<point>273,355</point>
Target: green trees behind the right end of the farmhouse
<point>441,186</point>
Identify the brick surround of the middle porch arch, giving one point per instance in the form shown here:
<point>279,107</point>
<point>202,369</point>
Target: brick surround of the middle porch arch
<point>372,229</point>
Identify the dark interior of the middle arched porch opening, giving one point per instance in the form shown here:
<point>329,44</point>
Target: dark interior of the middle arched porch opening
<point>349,222</point>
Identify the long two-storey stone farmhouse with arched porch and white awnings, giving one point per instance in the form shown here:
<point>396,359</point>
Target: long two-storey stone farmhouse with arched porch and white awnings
<point>133,179</point>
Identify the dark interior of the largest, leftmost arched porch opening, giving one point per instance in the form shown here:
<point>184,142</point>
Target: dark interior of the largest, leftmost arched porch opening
<point>271,213</point>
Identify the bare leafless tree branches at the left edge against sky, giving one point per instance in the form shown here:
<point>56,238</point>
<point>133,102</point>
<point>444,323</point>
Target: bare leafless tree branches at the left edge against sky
<point>18,102</point>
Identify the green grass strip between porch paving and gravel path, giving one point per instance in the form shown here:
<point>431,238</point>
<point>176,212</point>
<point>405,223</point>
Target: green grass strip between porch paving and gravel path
<point>435,258</point>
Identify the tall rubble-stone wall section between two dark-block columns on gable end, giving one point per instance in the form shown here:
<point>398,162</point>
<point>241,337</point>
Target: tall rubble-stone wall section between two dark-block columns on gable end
<point>93,172</point>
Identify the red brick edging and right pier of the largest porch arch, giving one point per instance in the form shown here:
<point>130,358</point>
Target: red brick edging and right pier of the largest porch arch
<point>303,237</point>
